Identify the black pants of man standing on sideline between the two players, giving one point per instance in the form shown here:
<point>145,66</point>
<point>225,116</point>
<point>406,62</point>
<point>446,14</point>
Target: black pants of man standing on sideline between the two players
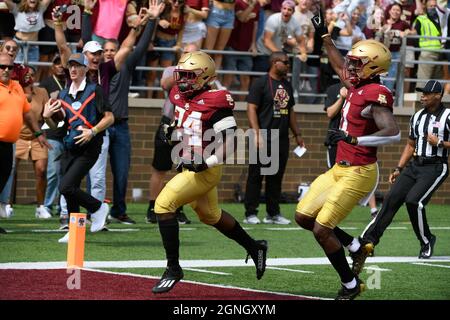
<point>273,186</point>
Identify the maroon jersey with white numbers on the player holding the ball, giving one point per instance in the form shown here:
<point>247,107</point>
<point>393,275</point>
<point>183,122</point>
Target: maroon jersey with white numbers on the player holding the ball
<point>194,116</point>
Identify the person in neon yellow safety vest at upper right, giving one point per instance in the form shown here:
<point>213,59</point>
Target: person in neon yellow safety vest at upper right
<point>428,25</point>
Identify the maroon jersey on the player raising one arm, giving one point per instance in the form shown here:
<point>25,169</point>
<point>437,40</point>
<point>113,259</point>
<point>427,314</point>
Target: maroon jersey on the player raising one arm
<point>357,121</point>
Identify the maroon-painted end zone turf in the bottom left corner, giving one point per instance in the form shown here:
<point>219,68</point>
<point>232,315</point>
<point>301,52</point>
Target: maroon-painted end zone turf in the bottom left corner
<point>53,285</point>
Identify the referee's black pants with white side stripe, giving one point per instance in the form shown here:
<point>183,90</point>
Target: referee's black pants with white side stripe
<point>414,187</point>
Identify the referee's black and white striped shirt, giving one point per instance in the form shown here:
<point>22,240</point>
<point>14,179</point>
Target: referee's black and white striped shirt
<point>423,123</point>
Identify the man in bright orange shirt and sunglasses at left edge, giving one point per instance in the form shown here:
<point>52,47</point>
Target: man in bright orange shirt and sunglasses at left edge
<point>14,110</point>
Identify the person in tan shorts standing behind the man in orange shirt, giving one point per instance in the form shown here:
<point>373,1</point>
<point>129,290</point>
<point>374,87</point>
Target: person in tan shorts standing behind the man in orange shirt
<point>28,146</point>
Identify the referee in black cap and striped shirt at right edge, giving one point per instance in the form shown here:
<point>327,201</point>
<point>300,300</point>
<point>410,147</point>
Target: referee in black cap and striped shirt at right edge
<point>422,168</point>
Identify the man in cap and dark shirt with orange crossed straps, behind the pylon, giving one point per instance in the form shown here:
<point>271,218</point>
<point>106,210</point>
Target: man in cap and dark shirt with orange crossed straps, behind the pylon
<point>86,115</point>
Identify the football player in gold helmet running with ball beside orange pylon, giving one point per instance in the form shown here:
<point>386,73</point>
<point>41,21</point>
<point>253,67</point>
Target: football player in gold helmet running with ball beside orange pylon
<point>198,111</point>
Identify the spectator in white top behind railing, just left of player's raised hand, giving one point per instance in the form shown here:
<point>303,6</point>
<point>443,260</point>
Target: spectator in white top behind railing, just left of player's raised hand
<point>303,15</point>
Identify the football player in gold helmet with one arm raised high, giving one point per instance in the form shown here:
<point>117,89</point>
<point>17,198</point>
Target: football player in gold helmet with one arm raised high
<point>367,121</point>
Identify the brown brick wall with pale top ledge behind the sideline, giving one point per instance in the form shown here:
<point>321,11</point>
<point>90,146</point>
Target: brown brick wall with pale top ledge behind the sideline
<point>144,120</point>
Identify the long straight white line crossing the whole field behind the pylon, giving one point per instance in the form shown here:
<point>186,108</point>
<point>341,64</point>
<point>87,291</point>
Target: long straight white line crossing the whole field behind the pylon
<point>274,262</point>
